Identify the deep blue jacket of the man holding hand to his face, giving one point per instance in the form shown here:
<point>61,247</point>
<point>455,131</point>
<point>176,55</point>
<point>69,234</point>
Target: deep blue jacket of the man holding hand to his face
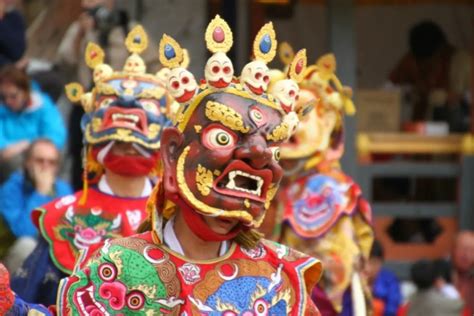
<point>18,198</point>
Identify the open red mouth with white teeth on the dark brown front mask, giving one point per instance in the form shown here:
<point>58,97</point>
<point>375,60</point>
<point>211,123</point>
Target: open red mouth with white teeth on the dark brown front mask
<point>241,180</point>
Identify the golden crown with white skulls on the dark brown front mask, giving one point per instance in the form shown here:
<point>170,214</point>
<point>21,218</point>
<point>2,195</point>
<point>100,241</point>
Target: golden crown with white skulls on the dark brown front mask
<point>253,82</point>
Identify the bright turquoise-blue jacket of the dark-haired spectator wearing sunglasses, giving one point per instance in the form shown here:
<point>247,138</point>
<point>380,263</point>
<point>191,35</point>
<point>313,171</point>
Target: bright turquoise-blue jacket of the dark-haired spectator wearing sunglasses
<point>41,119</point>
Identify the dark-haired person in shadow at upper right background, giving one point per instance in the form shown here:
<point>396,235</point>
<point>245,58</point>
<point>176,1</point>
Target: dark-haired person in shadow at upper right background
<point>439,75</point>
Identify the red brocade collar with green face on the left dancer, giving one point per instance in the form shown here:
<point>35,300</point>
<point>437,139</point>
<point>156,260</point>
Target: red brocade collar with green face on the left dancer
<point>70,227</point>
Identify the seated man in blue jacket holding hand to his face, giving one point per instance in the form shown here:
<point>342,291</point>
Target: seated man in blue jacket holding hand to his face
<point>24,191</point>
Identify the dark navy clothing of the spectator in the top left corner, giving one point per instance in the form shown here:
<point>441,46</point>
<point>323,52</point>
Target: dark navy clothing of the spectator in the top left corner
<point>12,39</point>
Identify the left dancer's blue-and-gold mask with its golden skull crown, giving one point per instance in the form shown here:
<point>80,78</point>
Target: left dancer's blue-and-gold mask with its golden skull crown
<point>128,106</point>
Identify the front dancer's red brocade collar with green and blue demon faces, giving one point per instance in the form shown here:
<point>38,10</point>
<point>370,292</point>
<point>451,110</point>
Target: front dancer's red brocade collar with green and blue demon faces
<point>270,279</point>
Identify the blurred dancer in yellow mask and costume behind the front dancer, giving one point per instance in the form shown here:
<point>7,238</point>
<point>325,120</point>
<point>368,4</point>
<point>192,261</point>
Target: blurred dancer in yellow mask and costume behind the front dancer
<point>320,210</point>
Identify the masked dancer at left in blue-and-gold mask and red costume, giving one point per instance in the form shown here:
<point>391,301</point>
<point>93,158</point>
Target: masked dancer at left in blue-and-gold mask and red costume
<point>127,106</point>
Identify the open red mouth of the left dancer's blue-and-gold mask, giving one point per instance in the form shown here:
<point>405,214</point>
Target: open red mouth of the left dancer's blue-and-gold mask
<point>132,119</point>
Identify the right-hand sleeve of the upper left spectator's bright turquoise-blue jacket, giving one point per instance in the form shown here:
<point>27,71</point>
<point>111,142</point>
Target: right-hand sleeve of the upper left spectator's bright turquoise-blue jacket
<point>52,123</point>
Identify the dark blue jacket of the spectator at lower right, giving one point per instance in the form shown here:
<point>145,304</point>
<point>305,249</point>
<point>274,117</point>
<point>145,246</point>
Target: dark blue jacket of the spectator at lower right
<point>386,287</point>
